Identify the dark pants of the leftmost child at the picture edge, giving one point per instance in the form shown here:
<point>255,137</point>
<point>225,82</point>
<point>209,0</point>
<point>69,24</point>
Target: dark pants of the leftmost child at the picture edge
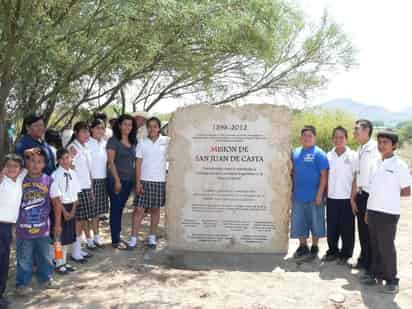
<point>5,241</point>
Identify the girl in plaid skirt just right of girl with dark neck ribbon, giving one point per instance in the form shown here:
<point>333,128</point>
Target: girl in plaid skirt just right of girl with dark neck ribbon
<point>86,210</point>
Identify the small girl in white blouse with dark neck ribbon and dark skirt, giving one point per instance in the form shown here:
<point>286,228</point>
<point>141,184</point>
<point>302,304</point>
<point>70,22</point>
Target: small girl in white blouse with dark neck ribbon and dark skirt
<point>64,194</point>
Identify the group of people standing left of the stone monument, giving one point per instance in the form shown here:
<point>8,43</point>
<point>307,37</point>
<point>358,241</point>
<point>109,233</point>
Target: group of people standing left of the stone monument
<point>55,188</point>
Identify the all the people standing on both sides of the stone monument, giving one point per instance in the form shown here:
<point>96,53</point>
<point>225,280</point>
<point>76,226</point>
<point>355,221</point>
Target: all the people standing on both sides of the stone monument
<point>54,188</point>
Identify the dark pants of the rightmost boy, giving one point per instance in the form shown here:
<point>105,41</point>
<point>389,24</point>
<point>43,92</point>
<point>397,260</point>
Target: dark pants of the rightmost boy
<point>382,231</point>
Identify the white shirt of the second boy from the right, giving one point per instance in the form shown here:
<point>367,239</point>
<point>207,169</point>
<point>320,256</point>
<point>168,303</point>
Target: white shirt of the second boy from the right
<point>367,159</point>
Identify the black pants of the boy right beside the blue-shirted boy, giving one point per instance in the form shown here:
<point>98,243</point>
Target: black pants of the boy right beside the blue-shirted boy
<point>340,224</point>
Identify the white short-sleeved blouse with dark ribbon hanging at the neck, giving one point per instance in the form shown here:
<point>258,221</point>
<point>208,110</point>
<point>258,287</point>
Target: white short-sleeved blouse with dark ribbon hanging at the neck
<point>65,185</point>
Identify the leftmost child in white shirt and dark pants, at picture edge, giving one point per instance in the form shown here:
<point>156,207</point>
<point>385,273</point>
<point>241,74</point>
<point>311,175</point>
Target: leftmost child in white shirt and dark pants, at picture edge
<point>10,197</point>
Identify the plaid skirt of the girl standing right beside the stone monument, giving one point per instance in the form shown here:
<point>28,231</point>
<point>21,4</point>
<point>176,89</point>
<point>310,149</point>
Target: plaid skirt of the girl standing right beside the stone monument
<point>154,195</point>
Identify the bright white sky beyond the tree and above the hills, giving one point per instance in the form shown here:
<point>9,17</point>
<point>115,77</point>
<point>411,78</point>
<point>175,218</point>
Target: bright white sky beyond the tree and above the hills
<point>381,33</point>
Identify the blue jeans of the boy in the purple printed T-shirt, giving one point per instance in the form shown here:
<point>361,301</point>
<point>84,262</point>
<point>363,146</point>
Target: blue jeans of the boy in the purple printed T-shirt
<point>27,250</point>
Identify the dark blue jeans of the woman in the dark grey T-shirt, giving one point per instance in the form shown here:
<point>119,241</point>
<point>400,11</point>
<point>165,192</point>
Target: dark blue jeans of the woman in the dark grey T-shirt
<point>117,203</point>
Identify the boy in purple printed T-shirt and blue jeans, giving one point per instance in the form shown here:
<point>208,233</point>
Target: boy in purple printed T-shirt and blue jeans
<point>32,227</point>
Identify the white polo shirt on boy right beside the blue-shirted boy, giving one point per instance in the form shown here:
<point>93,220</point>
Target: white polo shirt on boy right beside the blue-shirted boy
<point>341,173</point>
